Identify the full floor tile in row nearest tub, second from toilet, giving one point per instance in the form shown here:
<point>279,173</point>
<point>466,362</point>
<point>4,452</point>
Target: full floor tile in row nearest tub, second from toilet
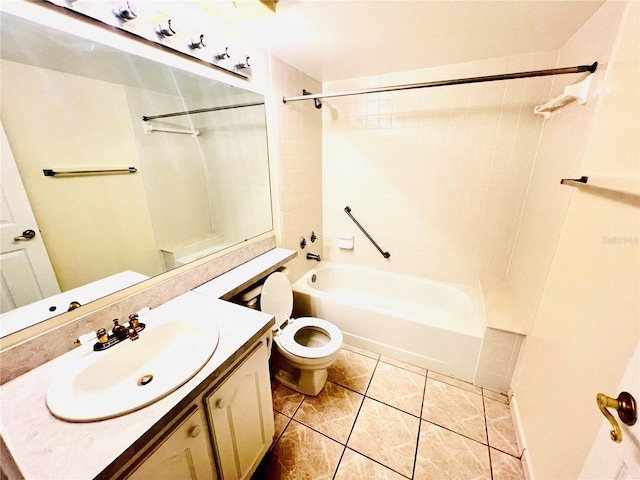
<point>397,387</point>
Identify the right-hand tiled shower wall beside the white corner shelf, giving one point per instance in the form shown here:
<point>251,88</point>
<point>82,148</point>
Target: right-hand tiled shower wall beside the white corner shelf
<point>562,146</point>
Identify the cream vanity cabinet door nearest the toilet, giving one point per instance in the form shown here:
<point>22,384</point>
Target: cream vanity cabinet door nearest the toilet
<point>241,416</point>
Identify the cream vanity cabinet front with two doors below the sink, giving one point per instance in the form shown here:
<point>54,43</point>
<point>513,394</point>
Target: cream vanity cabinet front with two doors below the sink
<point>229,427</point>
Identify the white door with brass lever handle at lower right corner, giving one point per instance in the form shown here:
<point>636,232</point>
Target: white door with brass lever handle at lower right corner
<point>617,461</point>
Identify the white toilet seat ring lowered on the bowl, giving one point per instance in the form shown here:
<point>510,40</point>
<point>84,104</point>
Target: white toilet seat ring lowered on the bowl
<point>286,338</point>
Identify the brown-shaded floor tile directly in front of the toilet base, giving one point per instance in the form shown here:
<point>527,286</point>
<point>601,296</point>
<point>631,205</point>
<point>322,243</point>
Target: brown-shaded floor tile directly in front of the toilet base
<point>332,412</point>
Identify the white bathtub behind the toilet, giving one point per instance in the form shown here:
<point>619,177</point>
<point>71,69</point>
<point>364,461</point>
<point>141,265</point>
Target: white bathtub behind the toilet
<point>431,324</point>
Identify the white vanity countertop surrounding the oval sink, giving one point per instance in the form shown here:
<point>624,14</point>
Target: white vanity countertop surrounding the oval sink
<point>45,447</point>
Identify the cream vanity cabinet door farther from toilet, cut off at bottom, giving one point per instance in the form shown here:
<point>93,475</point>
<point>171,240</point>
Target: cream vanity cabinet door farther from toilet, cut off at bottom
<point>184,452</point>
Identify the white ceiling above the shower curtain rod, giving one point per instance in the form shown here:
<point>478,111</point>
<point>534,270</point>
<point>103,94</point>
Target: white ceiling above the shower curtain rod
<point>333,40</point>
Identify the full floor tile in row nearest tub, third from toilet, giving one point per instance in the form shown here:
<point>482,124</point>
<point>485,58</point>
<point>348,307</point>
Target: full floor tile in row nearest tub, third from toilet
<point>455,409</point>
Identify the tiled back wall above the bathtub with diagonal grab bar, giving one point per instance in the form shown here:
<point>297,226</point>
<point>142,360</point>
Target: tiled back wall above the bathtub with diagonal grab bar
<point>438,175</point>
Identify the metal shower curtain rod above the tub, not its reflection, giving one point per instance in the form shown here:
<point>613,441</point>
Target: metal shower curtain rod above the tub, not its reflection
<point>442,83</point>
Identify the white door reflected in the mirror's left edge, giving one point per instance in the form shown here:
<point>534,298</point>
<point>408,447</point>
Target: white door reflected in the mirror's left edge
<point>27,274</point>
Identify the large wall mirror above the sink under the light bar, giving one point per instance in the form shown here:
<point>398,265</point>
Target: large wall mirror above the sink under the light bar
<point>192,184</point>
